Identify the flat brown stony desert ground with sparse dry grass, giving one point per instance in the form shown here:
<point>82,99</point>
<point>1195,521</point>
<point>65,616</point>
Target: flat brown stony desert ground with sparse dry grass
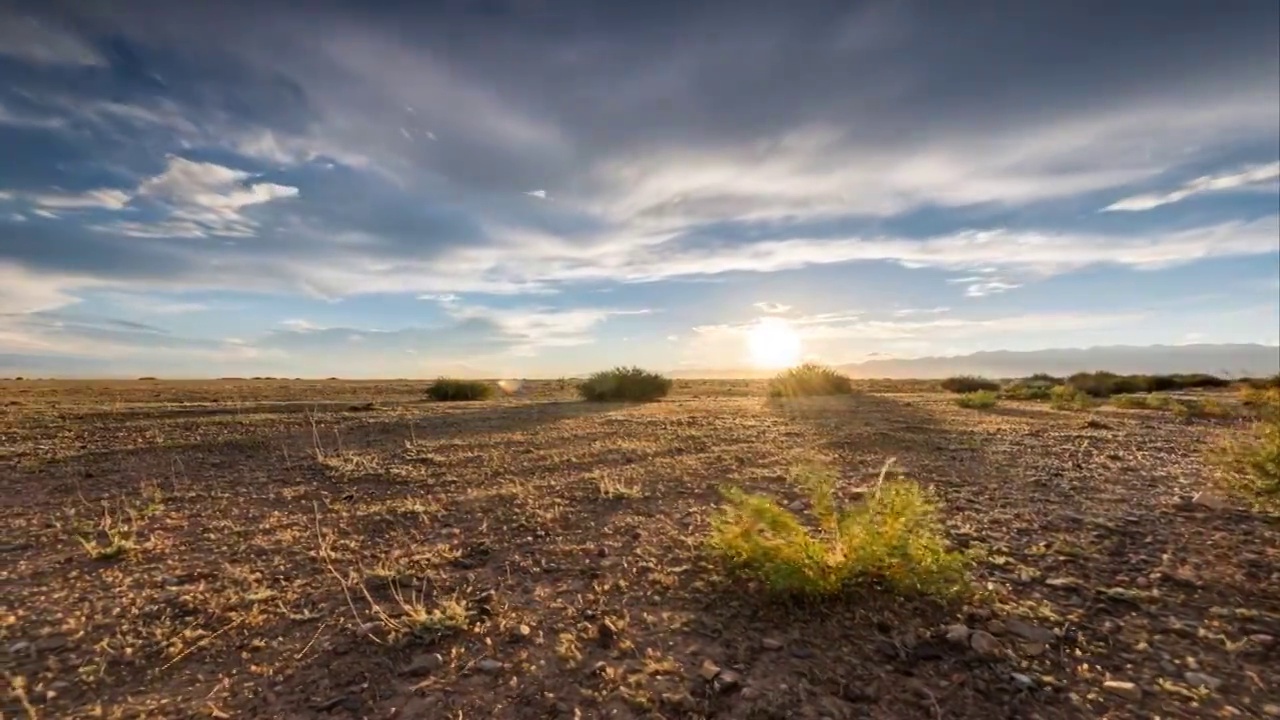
<point>537,557</point>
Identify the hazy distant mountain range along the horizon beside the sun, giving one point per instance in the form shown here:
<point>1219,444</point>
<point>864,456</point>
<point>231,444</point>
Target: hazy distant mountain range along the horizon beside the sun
<point>1226,361</point>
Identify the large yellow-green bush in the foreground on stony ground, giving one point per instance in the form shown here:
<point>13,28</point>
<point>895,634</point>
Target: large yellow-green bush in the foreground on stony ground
<point>892,539</point>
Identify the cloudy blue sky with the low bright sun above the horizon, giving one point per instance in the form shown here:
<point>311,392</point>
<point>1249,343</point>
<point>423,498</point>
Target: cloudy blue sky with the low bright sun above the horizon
<point>543,189</point>
